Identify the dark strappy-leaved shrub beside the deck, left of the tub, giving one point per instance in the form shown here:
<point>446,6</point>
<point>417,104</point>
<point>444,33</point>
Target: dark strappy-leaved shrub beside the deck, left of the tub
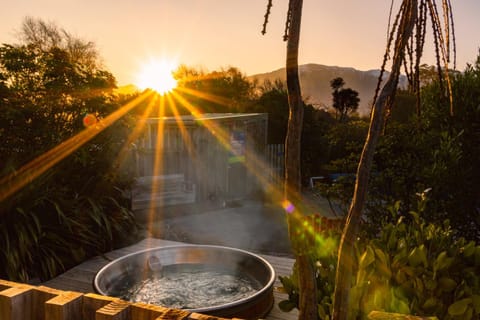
<point>44,231</point>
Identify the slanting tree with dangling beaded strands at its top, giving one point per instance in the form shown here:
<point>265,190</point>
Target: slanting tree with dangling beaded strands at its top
<point>409,30</point>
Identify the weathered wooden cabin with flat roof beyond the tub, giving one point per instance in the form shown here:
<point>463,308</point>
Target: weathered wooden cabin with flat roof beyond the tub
<point>192,159</point>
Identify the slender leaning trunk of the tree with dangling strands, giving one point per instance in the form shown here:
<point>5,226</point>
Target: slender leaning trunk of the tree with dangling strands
<point>346,250</point>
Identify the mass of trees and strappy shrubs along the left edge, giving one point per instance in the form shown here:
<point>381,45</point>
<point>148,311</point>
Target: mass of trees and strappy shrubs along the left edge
<point>49,87</point>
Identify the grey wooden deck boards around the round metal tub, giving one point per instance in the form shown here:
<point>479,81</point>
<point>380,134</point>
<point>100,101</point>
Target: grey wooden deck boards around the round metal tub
<point>80,278</point>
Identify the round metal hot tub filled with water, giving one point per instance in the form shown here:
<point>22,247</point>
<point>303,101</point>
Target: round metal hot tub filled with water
<point>213,280</point>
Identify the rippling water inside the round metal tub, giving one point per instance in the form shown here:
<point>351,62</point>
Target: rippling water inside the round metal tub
<point>189,286</point>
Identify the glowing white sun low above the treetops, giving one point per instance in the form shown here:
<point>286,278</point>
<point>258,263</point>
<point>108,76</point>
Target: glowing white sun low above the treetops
<point>157,75</point>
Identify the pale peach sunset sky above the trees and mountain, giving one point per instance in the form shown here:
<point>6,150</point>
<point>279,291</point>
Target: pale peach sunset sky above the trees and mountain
<point>214,34</point>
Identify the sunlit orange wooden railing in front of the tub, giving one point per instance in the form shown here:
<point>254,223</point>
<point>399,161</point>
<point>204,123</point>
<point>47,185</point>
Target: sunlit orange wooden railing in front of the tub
<point>24,302</point>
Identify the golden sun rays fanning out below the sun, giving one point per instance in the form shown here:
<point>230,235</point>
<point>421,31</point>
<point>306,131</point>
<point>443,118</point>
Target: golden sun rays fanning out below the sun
<point>156,106</point>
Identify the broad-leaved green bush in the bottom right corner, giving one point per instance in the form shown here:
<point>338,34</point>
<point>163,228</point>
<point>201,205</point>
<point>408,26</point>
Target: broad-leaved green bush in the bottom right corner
<point>421,268</point>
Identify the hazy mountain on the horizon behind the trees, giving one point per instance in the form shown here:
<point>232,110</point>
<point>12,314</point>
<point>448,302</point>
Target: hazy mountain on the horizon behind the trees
<point>315,83</point>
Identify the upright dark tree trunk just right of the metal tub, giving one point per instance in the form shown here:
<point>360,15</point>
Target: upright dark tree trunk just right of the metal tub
<point>306,270</point>
